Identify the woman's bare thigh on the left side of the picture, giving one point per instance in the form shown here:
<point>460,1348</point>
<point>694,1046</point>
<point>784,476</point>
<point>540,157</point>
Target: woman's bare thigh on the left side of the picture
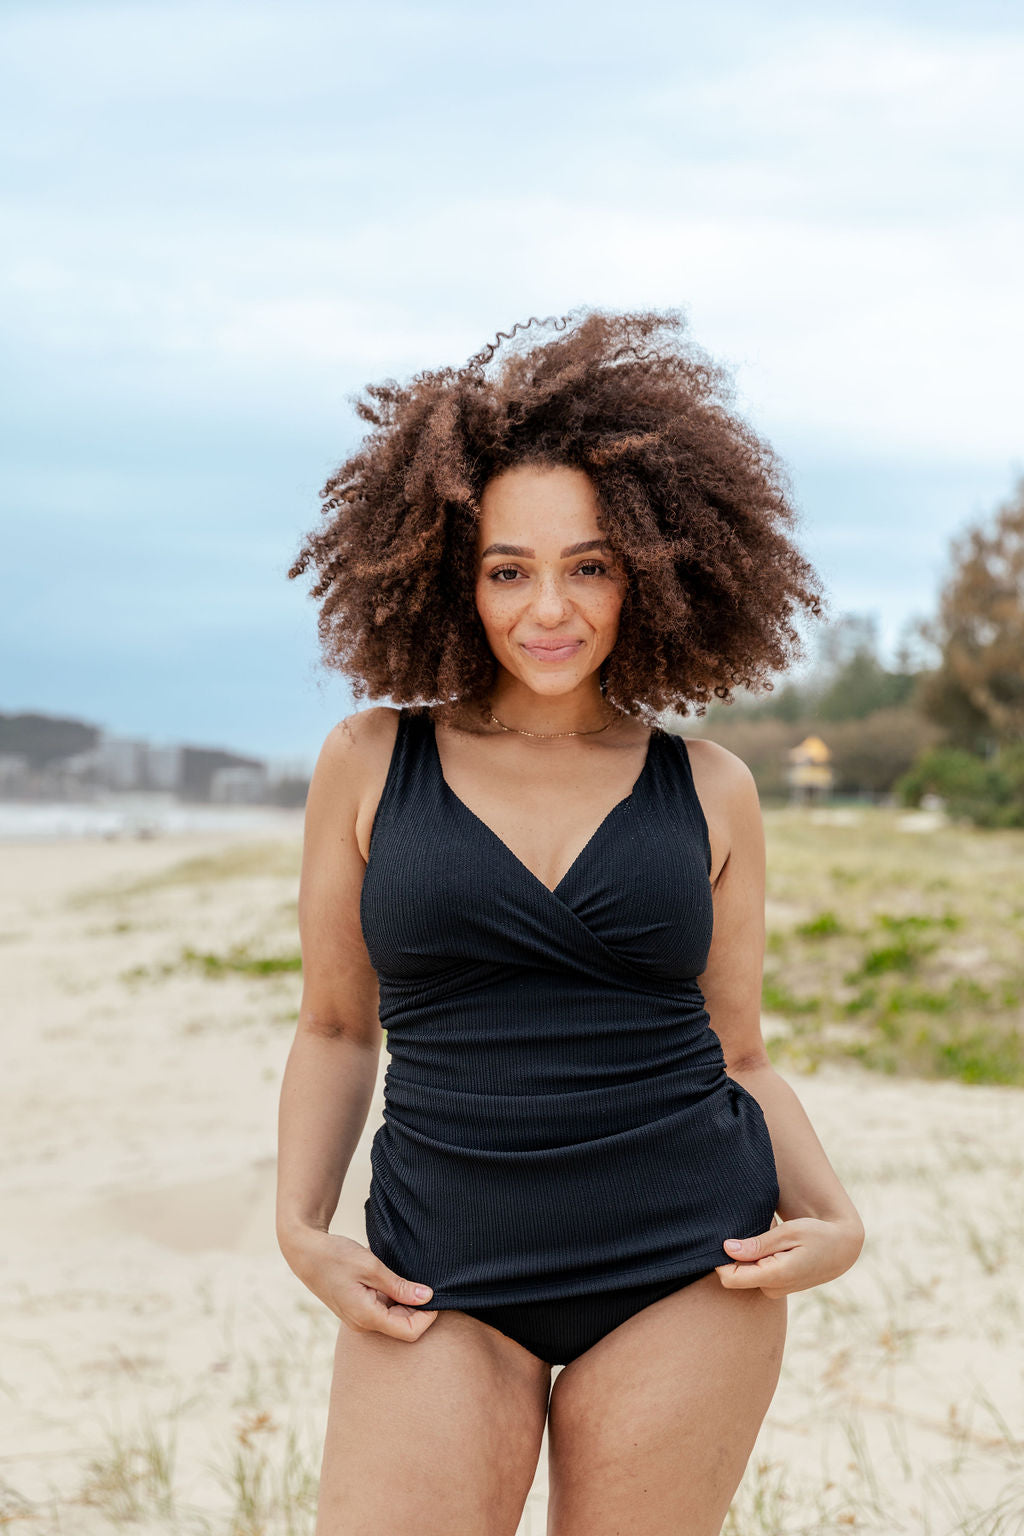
<point>432,1437</point>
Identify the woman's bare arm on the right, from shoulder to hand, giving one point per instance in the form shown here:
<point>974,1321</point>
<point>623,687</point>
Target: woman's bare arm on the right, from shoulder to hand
<point>818,1214</point>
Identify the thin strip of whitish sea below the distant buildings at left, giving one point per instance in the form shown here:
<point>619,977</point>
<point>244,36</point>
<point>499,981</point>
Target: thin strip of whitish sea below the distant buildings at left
<point>139,816</point>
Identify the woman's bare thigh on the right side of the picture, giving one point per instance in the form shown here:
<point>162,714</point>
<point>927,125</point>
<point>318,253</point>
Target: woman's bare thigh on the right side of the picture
<point>650,1431</point>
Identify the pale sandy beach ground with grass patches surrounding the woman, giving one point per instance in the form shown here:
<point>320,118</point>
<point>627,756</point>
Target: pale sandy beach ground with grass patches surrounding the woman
<point>199,1406</point>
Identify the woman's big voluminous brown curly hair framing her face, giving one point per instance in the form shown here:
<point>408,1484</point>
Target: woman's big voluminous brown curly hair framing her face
<point>690,498</point>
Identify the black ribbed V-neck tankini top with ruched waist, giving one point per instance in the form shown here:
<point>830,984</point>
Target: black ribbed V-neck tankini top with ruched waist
<point>558,1116</point>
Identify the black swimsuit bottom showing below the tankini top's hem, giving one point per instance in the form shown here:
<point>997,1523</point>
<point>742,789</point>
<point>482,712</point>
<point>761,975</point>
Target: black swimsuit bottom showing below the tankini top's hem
<point>561,1329</point>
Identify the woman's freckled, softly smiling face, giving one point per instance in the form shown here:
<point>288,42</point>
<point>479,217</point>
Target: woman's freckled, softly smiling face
<point>549,591</point>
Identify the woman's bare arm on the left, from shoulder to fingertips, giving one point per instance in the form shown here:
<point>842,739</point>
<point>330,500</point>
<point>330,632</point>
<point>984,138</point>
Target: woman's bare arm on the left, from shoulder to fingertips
<point>331,1073</point>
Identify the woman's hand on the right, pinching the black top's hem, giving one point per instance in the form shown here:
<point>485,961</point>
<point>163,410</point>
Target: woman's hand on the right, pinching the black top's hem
<point>793,1256</point>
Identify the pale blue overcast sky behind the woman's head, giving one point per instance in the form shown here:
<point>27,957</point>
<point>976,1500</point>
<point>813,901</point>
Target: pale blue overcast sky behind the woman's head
<point>225,219</point>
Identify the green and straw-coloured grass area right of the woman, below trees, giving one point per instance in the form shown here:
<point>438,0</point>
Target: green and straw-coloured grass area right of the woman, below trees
<point>896,950</point>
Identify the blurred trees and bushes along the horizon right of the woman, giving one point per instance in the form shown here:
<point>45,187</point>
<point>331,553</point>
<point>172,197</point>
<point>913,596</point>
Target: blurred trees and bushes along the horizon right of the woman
<point>951,726</point>
